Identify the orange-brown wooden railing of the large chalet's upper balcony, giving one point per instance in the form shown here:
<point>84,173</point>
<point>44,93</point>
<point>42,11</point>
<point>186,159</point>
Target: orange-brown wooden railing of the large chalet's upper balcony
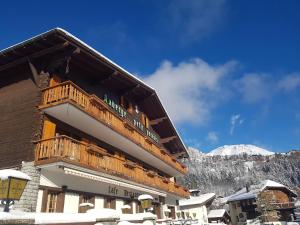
<point>97,108</point>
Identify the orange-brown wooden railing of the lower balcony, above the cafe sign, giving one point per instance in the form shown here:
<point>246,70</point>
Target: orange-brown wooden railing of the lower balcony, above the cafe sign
<point>64,148</point>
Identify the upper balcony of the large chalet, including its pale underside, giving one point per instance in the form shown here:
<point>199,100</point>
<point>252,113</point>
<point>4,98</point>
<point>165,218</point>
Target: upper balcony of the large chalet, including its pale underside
<point>68,103</point>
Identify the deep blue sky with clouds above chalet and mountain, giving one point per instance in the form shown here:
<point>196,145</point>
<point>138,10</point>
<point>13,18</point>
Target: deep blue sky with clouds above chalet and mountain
<point>227,71</point>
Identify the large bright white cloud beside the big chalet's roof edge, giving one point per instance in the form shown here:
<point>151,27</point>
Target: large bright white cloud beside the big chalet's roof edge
<point>190,89</point>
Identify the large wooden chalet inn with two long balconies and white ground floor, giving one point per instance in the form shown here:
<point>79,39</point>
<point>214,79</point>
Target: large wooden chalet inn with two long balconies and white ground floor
<point>84,129</point>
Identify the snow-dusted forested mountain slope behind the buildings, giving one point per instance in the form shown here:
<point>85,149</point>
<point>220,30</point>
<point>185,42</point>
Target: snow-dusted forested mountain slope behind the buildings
<point>224,174</point>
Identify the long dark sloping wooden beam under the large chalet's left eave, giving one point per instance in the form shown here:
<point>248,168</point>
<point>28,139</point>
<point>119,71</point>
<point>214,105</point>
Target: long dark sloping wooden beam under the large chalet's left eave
<point>34,55</point>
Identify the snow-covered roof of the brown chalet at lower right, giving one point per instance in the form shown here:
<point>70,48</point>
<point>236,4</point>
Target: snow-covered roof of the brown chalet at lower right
<point>255,189</point>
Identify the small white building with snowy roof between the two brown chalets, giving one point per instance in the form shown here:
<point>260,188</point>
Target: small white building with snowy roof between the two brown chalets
<point>197,206</point>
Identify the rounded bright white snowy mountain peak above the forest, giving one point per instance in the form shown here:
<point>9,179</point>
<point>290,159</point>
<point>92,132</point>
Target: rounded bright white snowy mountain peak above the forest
<point>229,150</point>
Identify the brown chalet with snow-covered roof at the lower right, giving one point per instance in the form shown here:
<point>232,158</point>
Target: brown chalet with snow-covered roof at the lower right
<point>269,200</point>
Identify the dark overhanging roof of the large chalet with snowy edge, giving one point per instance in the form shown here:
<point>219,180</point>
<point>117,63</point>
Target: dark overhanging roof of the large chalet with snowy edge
<point>58,39</point>
